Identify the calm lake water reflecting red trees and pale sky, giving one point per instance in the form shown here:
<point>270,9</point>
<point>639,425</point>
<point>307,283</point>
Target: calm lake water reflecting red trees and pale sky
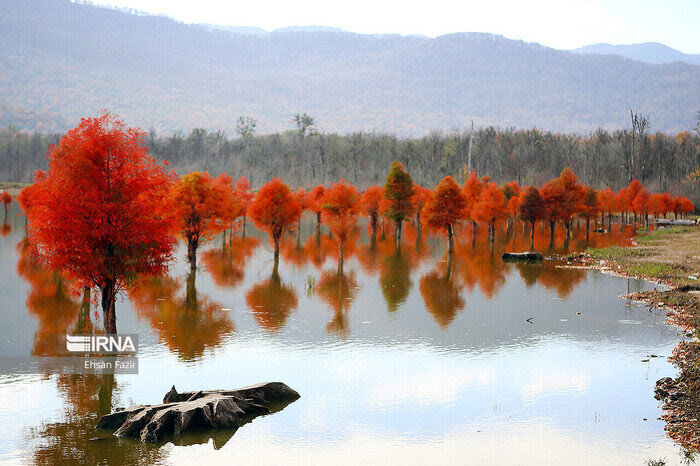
<point>405,358</point>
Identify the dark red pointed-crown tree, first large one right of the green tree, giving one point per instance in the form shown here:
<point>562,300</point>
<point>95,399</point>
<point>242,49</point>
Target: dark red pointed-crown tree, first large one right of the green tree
<point>445,207</point>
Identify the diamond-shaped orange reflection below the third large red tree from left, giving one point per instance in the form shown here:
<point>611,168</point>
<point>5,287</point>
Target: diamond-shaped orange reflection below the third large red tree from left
<point>271,302</point>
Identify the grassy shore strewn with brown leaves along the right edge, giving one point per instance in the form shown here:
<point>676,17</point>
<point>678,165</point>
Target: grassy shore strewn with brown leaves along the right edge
<point>670,256</point>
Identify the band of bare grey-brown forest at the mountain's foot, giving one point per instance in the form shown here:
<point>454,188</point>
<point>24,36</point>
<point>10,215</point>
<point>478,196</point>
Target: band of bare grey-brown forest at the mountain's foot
<point>304,157</point>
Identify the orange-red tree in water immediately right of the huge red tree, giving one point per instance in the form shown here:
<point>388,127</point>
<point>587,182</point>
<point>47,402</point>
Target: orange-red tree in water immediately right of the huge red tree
<point>205,207</point>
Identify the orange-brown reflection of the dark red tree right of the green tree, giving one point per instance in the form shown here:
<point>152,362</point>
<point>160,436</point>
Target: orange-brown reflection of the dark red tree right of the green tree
<point>441,294</point>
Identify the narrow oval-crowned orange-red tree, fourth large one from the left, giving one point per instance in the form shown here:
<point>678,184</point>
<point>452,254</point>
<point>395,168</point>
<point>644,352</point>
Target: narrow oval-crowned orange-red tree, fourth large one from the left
<point>340,208</point>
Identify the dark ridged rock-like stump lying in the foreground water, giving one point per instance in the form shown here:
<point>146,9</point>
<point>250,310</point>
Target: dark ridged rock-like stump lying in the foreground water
<point>188,412</point>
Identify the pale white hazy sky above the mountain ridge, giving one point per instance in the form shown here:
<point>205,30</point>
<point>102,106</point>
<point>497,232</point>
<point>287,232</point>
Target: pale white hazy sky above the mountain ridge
<point>561,24</point>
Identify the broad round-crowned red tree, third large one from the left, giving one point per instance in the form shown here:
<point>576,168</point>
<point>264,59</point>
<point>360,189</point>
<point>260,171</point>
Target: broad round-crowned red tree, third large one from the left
<point>275,209</point>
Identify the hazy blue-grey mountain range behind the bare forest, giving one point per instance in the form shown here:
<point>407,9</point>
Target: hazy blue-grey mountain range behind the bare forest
<point>71,60</point>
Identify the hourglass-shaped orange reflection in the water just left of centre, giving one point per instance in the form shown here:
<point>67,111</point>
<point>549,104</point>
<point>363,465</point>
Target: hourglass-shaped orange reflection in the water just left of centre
<point>338,290</point>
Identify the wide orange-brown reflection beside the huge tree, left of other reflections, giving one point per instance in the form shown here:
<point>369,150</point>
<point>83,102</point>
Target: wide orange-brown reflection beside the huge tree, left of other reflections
<point>189,324</point>
